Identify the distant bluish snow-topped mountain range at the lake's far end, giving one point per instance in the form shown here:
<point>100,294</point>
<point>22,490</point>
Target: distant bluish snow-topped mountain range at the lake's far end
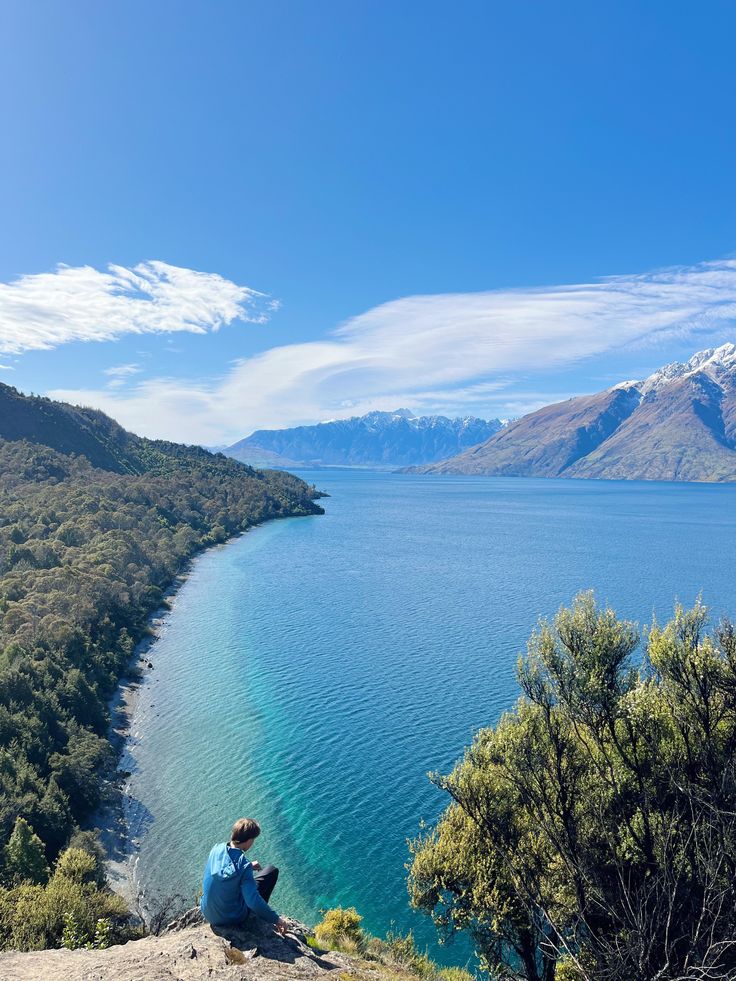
<point>379,439</point>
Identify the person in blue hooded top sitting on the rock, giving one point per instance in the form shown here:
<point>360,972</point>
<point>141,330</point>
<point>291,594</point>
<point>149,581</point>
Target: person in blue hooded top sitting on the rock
<point>233,887</point>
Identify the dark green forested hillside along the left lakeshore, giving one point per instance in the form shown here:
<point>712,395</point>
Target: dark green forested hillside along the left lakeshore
<point>85,556</point>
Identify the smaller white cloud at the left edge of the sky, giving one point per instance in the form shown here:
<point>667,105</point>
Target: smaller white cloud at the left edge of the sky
<point>43,310</point>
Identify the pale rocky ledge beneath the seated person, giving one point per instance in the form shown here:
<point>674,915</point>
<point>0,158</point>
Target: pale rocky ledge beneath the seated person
<point>188,950</point>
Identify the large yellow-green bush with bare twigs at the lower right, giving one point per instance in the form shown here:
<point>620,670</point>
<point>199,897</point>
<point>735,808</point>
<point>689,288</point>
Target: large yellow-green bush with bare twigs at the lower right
<point>599,815</point>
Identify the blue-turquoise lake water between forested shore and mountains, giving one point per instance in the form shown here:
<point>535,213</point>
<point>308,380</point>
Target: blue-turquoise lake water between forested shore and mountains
<point>312,671</point>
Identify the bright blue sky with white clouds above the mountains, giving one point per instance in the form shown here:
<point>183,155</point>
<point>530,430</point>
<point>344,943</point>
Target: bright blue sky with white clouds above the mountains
<point>277,212</point>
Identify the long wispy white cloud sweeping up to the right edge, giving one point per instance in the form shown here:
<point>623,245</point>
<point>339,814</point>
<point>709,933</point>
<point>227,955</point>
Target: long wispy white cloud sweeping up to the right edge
<point>466,351</point>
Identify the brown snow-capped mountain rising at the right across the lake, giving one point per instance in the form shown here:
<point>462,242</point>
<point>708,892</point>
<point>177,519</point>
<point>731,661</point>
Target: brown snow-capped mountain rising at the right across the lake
<point>677,424</point>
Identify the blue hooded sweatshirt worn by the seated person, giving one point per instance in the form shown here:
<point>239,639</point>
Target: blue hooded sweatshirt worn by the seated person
<point>229,889</point>
